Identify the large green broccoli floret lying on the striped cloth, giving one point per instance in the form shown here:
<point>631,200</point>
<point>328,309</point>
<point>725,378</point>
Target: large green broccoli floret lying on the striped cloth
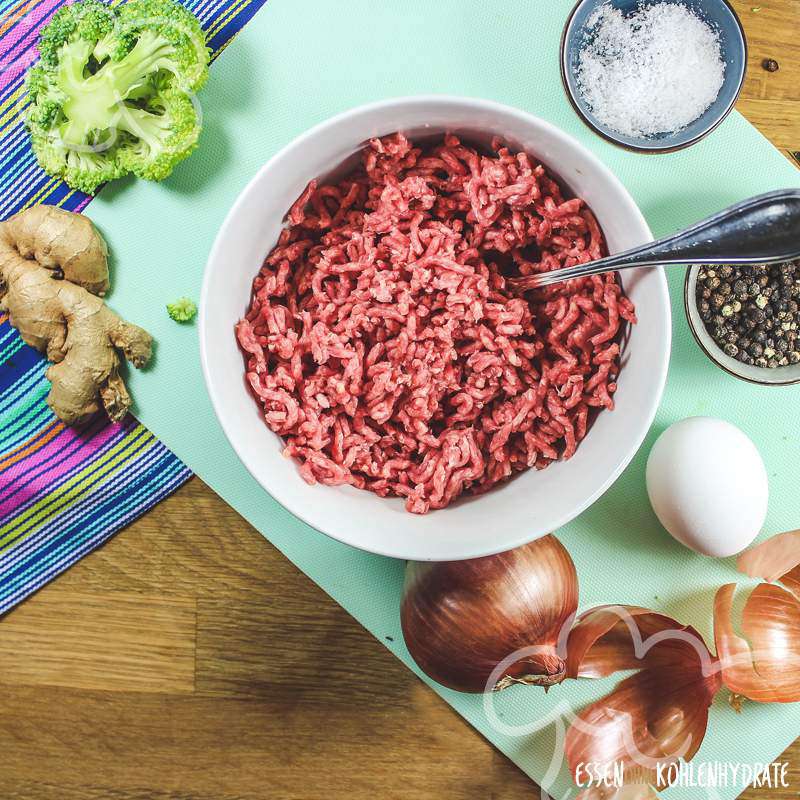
<point>113,91</point>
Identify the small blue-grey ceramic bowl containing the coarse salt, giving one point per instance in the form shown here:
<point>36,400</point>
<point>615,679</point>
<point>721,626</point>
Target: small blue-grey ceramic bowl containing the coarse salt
<point>718,14</point>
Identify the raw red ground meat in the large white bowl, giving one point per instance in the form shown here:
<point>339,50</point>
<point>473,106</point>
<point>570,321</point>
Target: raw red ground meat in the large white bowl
<point>384,347</point>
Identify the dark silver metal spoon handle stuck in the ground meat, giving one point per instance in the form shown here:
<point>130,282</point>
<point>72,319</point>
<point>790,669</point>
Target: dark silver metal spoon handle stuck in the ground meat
<point>762,230</point>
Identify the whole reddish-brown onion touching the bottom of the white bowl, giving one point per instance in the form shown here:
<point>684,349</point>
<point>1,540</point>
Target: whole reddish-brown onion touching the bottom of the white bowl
<point>461,619</point>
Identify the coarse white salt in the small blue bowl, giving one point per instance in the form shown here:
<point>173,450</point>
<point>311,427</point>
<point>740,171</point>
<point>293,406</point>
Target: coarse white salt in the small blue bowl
<point>651,72</point>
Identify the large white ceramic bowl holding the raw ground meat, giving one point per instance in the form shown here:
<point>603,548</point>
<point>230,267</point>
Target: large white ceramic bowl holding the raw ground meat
<point>532,504</point>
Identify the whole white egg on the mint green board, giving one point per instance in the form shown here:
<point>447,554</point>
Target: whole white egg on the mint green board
<point>708,485</point>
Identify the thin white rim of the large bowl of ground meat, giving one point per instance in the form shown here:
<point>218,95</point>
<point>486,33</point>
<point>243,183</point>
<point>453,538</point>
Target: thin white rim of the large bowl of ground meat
<point>490,547</point>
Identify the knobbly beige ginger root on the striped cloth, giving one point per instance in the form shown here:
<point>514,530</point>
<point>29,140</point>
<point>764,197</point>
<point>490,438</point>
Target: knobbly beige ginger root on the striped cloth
<point>53,273</point>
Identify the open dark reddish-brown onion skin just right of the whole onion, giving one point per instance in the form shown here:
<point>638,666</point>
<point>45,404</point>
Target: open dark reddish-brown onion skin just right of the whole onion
<point>656,716</point>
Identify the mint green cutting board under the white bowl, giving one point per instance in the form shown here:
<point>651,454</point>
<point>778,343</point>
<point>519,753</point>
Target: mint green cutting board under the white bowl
<point>294,65</point>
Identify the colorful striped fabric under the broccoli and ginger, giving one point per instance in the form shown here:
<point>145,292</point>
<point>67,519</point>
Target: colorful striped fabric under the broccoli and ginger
<point>65,491</point>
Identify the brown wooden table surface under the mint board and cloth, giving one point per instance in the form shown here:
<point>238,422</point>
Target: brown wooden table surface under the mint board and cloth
<point>188,660</point>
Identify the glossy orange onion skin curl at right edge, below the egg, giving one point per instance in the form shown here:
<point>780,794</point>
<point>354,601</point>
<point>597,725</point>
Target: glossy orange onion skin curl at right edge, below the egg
<point>764,666</point>
